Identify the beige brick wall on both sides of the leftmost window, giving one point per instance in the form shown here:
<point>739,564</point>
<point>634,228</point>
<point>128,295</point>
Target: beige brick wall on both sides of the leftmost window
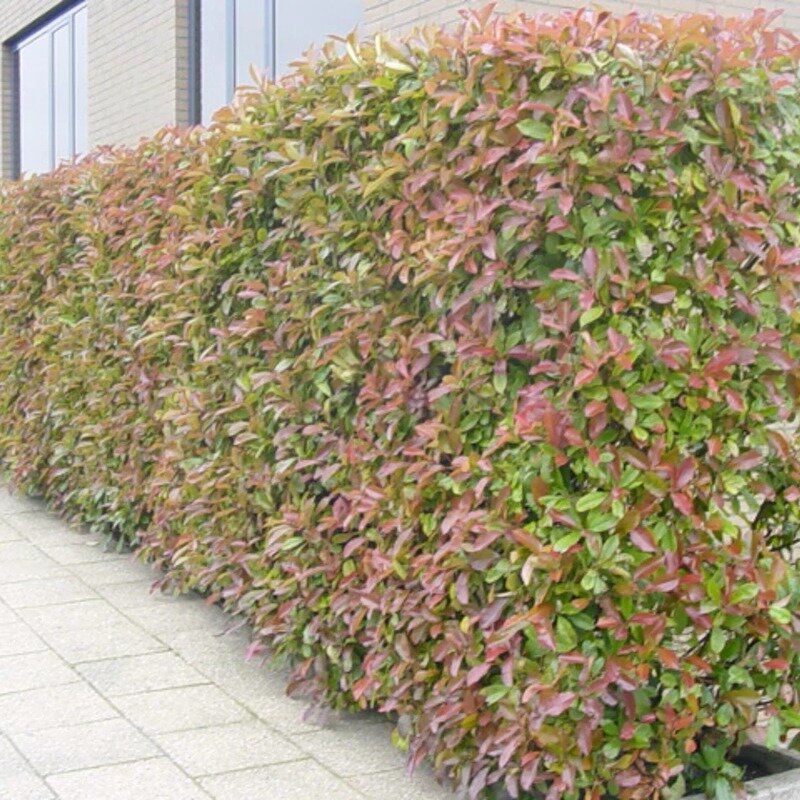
<point>138,67</point>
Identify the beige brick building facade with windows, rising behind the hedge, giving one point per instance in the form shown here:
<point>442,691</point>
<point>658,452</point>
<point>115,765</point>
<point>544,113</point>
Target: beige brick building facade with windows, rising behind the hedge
<point>80,73</point>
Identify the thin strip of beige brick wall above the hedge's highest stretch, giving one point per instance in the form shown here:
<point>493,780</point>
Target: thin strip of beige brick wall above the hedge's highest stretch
<point>397,16</point>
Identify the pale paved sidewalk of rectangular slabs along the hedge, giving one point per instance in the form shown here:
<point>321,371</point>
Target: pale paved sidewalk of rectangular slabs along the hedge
<point>110,693</point>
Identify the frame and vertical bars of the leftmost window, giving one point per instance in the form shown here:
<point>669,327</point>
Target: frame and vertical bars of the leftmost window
<point>61,16</point>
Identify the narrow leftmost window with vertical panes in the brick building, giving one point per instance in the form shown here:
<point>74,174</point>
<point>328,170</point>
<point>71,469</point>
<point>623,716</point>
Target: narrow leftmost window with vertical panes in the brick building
<point>51,67</point>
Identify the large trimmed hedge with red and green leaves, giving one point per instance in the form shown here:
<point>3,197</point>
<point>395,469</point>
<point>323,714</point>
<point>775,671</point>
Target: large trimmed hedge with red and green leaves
<point>466,370</point>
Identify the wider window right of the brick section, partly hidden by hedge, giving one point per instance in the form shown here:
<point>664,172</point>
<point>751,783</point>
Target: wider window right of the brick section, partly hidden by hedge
<point>233,35</point>
